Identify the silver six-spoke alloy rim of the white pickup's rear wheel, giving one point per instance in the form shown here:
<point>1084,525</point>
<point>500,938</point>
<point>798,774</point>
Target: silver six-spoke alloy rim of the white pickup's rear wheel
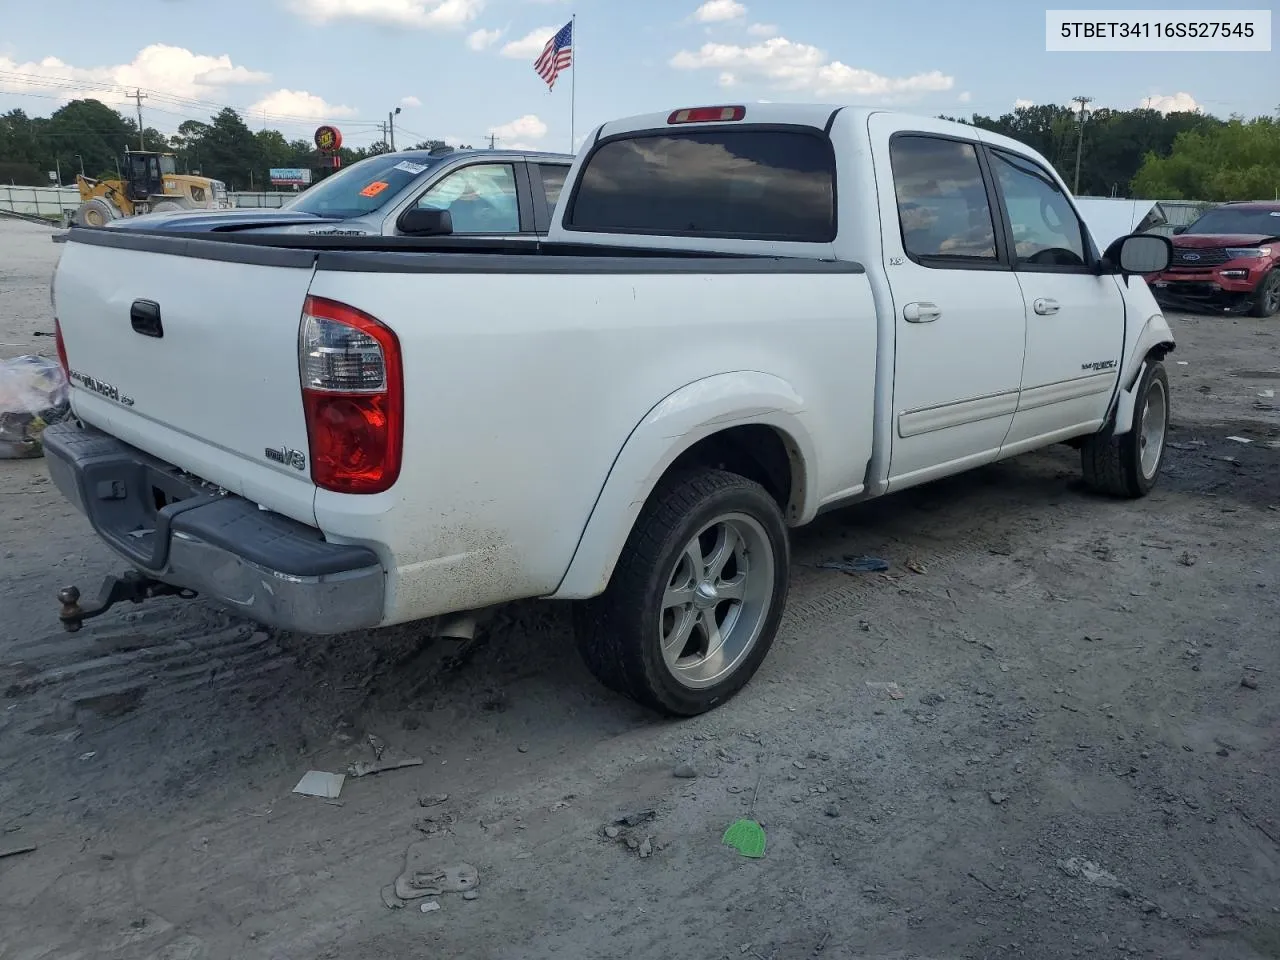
<point>716,601</point>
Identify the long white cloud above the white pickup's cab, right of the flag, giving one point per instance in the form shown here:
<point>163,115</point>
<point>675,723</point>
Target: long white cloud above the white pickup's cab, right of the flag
<point>801,67</point>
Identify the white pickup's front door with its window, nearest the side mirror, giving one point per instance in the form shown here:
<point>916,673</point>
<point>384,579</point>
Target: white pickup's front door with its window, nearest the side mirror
<point>1075,317</point>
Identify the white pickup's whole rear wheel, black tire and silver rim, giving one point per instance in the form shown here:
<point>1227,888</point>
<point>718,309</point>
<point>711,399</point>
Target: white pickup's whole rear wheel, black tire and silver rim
<point>697,598</point>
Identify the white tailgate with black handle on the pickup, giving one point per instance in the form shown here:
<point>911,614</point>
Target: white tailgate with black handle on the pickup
<point>193,359</point>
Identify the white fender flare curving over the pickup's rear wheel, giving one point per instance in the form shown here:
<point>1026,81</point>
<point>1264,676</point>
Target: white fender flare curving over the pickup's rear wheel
<point>673,427</point>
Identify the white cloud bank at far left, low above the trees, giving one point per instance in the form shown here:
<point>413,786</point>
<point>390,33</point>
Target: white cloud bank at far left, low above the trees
<point>172,70</point>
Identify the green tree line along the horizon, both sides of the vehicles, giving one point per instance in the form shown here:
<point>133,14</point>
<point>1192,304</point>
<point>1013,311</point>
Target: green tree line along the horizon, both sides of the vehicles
<point>1124,153</point>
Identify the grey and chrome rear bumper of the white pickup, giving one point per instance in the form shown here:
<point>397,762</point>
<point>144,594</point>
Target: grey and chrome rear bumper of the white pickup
<point>190,534</point>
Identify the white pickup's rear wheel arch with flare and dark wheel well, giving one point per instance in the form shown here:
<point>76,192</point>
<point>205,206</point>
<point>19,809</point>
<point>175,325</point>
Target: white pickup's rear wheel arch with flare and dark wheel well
<point>748,422</point>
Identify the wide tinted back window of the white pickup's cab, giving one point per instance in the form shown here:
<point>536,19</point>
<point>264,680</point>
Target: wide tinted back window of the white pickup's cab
<point>740,184</point>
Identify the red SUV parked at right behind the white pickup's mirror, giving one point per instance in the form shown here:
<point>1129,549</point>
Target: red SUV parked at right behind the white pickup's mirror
<point>1228,260</point>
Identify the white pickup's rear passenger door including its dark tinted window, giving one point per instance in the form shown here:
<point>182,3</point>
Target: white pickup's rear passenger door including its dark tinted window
<point>958,309</point>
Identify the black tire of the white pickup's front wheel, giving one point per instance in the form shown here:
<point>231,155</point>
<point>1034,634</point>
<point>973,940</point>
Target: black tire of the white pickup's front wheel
<point>1114,465</point>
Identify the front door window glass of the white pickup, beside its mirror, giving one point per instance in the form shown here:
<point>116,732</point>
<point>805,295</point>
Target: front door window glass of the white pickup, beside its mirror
<point>1046,230</point>
